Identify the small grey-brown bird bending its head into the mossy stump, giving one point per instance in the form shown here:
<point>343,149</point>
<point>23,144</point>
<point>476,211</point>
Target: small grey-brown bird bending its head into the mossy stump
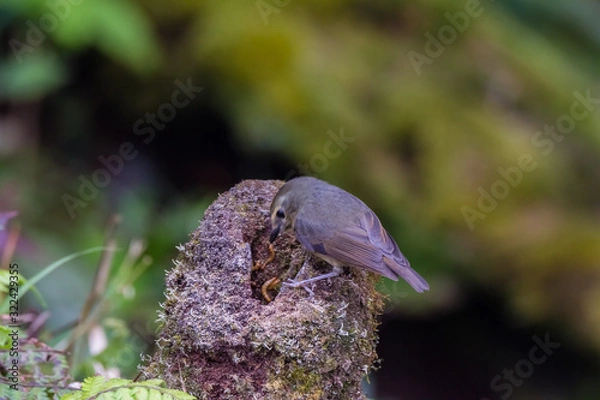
<point>339,228</point>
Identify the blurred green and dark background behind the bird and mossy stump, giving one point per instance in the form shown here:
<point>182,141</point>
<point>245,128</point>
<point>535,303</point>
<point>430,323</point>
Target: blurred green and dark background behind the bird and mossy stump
<point>471,128</point>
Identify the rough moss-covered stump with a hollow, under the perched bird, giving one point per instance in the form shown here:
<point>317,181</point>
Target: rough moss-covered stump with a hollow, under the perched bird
<point>221,340</point>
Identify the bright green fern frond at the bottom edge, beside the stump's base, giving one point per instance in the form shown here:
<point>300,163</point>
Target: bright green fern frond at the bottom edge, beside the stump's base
<point>99,388</point>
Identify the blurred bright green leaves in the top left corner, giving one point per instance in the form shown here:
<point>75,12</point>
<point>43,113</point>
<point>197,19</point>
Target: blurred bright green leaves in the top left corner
<point>119,29</point>
